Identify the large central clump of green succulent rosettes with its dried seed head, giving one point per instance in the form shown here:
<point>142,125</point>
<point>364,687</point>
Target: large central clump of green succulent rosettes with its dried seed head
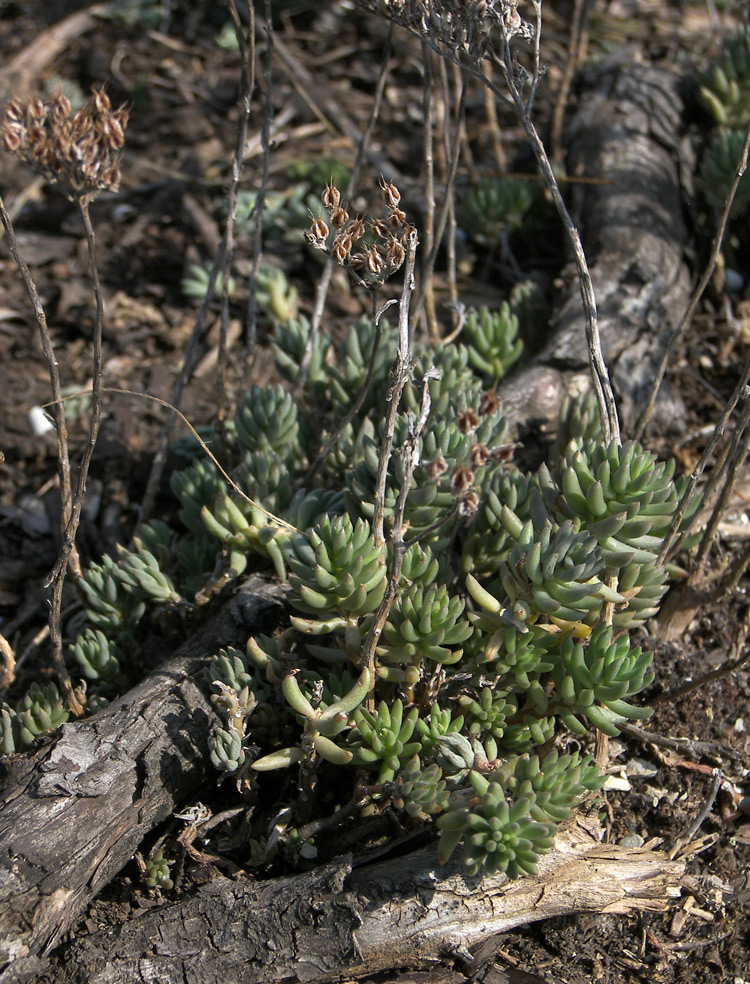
<point>506,636</point>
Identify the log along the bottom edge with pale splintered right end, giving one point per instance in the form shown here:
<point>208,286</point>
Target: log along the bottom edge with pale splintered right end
<point>344,921</point>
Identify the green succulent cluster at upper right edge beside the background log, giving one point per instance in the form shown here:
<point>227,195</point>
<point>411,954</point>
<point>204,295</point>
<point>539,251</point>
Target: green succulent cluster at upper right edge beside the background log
<point>724,90</point>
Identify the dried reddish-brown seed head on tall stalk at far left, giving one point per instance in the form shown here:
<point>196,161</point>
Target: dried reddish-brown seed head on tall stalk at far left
<point>79,153</point>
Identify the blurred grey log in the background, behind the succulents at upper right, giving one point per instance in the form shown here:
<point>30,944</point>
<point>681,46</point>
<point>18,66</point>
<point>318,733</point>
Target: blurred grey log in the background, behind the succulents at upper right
<point>627,134</point>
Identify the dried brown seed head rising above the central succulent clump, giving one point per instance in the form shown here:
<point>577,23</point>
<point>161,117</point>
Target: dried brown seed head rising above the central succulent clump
<point>341,237</point>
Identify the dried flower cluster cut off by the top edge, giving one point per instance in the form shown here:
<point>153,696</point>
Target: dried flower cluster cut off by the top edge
<point>469,25</point>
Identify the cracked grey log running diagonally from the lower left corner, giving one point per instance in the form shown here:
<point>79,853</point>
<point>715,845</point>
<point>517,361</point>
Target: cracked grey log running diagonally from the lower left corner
<point>79,809</point>
